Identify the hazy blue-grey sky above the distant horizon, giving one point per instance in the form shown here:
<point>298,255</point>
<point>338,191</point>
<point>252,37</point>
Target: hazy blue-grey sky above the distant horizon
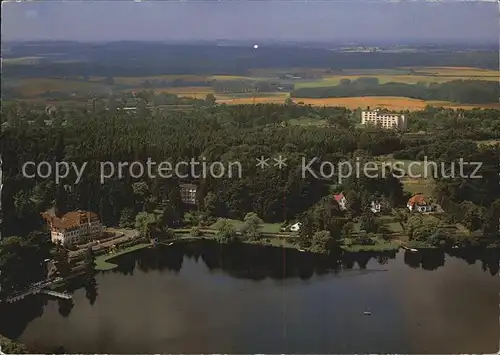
<point>250,20</point>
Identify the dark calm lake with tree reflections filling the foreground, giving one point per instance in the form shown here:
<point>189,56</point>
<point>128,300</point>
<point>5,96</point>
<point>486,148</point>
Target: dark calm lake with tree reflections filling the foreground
<point>203,297</point>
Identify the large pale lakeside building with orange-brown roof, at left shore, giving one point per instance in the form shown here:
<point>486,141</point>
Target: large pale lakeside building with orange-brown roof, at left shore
<point>74,227</point>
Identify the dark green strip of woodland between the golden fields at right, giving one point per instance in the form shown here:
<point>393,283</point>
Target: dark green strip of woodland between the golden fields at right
<point>460,91</point>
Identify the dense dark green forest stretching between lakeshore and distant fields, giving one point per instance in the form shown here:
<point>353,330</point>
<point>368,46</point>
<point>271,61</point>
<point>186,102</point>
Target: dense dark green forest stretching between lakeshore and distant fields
<point>227,134</point>
